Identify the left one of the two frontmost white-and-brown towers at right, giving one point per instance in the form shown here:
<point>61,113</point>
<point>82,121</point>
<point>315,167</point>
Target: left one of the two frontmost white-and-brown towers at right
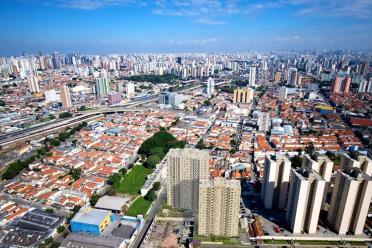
<point>306,191</point>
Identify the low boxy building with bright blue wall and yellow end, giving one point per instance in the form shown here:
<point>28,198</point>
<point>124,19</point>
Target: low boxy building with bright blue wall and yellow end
<point>90,220</point>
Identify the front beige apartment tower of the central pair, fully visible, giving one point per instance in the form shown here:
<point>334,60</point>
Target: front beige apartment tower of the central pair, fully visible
<point>219,205</point>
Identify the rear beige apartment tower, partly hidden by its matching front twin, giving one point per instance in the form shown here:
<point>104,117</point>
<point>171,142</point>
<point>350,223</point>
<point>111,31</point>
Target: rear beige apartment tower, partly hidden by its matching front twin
<point>185,168</point>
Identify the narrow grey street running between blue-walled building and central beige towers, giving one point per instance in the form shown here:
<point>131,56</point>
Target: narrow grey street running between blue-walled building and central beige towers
<point>150,218</point>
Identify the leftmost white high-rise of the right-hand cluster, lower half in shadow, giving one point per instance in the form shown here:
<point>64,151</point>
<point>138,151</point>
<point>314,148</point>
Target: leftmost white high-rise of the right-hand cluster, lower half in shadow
<point>275,182</point>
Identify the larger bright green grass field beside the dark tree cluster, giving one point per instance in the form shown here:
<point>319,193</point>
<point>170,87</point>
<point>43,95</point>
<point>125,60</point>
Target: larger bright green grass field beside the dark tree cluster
<point>132,182</point>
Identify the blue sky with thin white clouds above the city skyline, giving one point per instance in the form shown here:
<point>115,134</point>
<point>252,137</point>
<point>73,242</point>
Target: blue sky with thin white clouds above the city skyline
<point>121,26</point>
